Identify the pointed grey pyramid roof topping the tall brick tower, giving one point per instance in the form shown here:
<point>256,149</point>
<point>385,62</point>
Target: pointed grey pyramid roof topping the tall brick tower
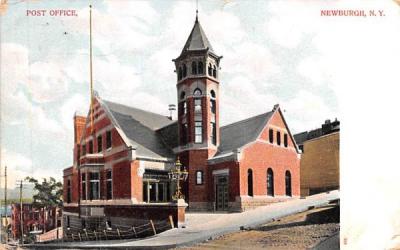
<point>197,39</point>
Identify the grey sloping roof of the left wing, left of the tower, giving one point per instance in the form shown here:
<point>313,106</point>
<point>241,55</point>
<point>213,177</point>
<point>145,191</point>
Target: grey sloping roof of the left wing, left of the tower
<point>140,127</point>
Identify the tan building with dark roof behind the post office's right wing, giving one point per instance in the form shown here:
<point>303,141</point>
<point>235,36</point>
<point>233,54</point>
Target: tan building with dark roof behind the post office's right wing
<point>319,165</point>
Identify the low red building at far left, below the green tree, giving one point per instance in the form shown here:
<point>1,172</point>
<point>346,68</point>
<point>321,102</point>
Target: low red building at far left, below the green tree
<point>34,220</point>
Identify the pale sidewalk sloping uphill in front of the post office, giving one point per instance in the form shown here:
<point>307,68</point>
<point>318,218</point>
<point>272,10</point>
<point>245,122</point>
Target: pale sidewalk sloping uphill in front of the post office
<point>202,226</point>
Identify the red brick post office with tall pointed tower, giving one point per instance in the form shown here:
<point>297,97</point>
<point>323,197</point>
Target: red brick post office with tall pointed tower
<point>124,157</point>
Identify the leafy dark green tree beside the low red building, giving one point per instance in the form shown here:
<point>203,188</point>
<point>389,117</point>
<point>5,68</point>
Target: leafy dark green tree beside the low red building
<point>48,193</point>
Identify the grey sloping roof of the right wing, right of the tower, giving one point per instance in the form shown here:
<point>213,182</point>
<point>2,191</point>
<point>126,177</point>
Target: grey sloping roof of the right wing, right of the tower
<point>238,134</point>
